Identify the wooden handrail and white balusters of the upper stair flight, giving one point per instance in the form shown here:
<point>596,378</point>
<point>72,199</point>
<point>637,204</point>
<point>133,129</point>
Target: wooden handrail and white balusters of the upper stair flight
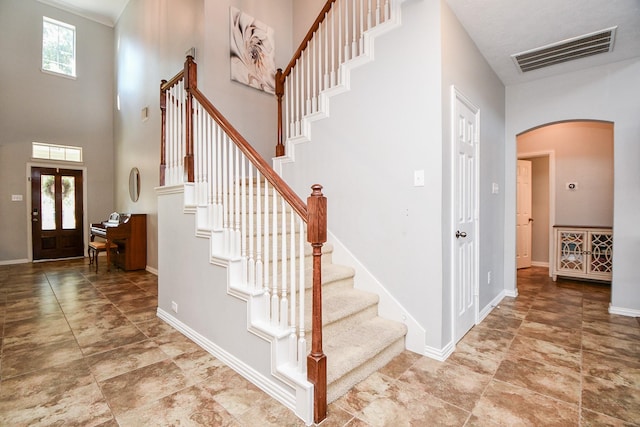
<point>336,36</point>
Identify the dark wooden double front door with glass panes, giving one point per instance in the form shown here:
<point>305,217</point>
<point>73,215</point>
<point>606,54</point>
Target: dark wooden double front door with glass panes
<point>56,213</point>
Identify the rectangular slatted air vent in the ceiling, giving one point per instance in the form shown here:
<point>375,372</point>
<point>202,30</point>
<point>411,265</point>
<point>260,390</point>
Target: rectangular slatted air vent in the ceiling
<point>566,50</point>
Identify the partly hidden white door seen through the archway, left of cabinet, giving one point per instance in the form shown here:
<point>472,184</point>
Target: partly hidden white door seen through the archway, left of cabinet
<point>523,214</point>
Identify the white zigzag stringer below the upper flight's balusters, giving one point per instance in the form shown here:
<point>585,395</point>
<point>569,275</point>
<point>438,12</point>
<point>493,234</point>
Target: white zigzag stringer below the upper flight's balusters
<point>344,85</point>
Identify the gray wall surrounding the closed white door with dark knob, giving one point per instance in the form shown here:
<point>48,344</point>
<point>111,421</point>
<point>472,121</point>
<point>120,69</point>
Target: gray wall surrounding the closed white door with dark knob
<point>464,67</point>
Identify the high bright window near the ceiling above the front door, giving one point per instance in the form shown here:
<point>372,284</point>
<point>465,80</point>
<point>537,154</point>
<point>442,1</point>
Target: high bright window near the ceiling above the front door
<point>58,47</point>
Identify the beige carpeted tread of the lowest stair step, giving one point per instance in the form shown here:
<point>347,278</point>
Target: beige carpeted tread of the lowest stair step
<point>356,346</point>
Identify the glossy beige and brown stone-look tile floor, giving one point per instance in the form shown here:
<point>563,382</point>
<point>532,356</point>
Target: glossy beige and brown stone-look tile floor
<point>80,348</point>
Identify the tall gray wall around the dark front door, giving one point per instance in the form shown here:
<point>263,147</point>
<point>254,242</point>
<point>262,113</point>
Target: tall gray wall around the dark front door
<point>36,106</point>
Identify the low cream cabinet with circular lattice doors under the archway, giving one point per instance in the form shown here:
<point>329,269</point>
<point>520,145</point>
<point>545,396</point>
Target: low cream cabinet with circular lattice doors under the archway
<point>583,252</point>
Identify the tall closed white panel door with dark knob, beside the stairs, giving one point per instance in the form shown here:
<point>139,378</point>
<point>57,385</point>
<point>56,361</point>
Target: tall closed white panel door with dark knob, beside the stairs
<point>465,207</point>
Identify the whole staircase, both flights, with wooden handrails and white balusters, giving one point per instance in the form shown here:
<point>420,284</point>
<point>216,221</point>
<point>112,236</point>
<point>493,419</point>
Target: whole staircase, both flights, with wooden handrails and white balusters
<point>267,242</point>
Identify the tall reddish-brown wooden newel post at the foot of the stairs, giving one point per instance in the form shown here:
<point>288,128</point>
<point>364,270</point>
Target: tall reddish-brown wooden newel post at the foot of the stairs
<point>317,360</point>
